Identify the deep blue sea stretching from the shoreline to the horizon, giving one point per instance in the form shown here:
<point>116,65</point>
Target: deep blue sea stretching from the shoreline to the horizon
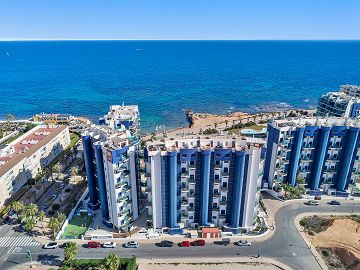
<point>167,77</point>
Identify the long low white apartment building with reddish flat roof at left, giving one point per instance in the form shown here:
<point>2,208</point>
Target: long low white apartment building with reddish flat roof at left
<point>25,157</point>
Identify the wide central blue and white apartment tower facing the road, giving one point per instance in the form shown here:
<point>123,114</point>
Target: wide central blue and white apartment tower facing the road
<point>204,181</point>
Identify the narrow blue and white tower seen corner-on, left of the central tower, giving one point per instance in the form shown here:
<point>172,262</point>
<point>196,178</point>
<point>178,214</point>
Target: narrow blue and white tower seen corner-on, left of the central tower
<point>110,154</point>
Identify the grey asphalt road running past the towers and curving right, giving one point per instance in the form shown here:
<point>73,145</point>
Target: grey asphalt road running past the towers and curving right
<point>285,245</point>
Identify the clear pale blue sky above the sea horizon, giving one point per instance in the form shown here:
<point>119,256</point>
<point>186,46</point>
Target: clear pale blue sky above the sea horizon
<point>180,19</point>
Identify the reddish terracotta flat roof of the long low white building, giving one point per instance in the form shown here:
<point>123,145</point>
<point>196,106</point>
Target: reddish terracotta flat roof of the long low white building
<point>27,145</point>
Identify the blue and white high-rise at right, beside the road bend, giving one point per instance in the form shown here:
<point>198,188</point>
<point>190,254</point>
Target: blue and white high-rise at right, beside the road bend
<point>324,151</point>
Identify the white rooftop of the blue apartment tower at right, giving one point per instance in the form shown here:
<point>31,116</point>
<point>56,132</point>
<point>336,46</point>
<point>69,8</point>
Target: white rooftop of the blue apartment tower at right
<point>316,121</point>
